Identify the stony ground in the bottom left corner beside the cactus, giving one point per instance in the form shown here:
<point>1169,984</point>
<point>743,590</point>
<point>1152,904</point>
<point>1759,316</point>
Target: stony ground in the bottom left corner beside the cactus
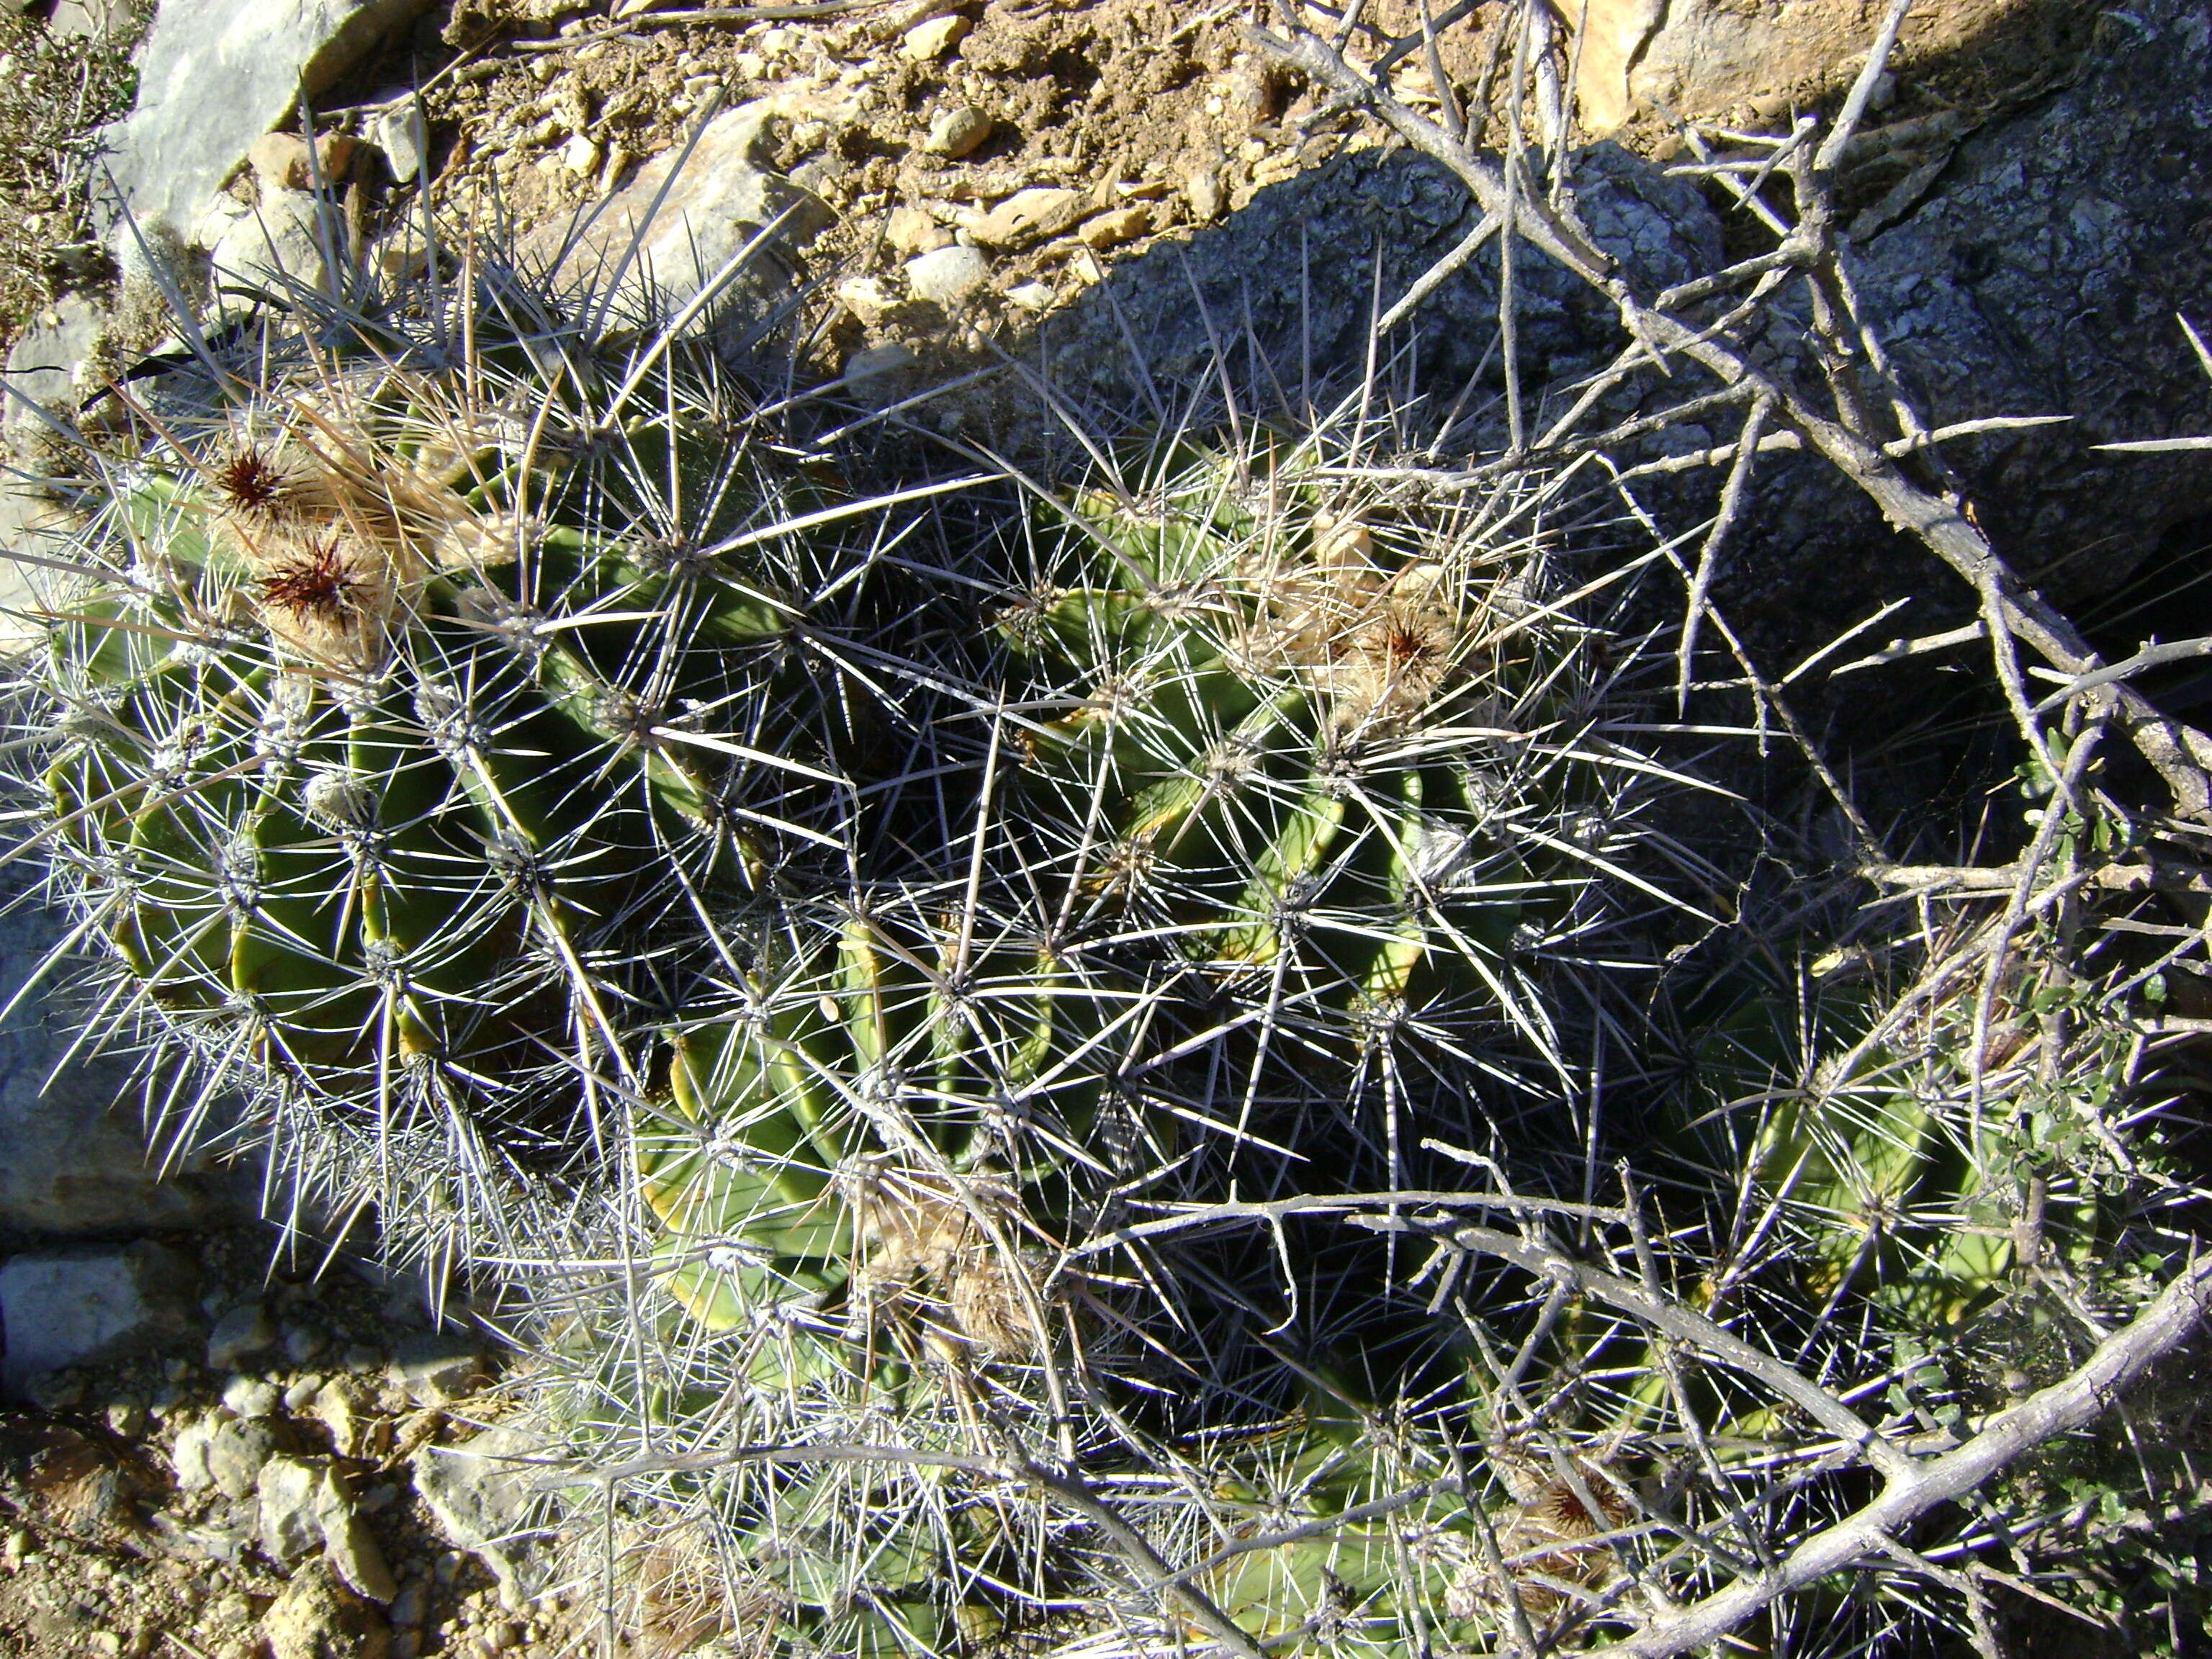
<point>255,1461</point>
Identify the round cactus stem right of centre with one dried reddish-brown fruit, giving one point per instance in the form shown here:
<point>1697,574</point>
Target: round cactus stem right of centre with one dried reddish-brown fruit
<point>1326,764</point>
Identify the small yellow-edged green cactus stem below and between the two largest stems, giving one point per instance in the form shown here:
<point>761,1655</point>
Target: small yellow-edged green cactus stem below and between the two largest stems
<point>837,1138</point>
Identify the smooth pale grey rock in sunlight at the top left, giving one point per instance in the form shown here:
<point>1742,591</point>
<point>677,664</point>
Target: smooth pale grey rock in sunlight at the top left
<point>220,74</point>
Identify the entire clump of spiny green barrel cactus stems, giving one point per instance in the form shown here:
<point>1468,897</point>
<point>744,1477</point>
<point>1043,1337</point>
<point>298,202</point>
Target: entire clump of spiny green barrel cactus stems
<point>587,824</point>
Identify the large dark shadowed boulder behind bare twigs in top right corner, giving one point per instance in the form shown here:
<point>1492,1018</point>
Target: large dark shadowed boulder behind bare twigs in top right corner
<point>2043,275</point>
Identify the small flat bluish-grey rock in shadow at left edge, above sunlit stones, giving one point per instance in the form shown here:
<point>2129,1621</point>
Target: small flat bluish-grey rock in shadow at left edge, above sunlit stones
<point>92,1304</point>
